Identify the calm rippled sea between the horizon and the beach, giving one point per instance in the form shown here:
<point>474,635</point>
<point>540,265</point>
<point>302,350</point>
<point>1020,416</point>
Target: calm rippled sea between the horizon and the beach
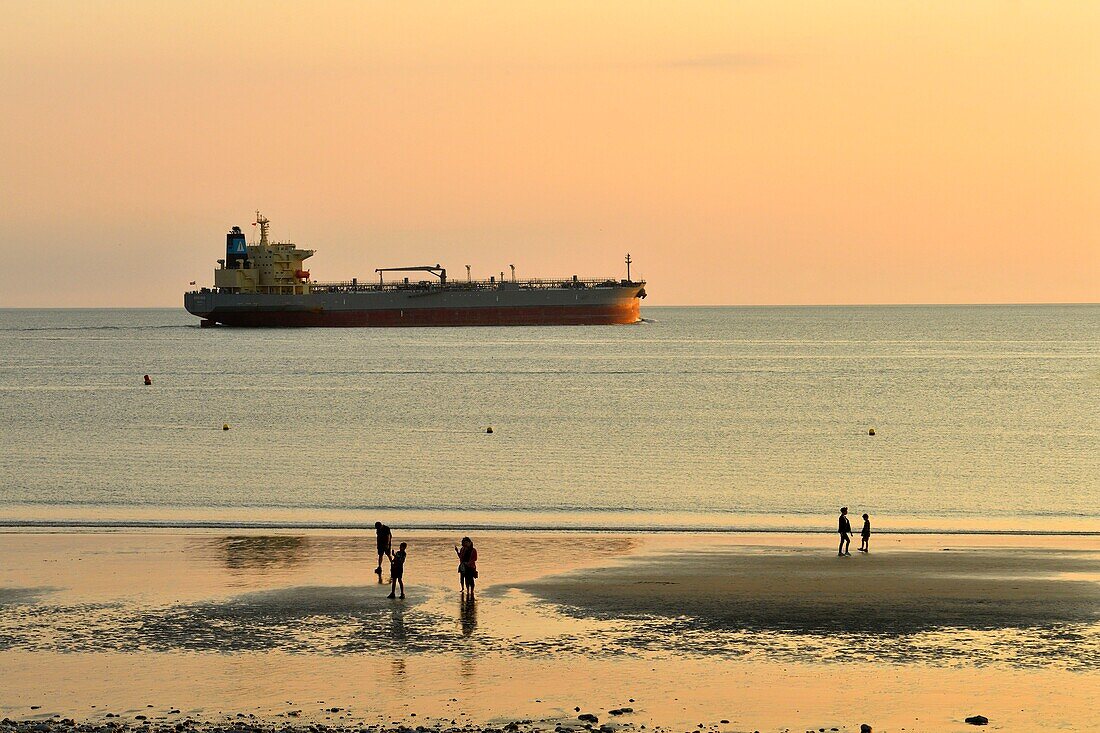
<point>986,419</point>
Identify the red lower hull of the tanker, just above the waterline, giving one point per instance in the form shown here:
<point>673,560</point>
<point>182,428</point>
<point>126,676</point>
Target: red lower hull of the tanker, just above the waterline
<point>602,315</point>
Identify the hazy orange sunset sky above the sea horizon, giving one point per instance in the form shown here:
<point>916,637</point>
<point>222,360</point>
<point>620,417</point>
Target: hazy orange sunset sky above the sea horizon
<point>743,152</point>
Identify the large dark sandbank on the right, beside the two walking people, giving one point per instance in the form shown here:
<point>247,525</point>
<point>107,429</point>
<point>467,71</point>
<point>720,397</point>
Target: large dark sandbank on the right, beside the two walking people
<point>807,589</point>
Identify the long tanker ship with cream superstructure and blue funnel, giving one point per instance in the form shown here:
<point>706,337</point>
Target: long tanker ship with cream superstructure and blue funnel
<point>266,285</point>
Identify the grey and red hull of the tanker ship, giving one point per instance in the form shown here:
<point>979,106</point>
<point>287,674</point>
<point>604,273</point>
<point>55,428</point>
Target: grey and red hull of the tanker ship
<point>422,309</point>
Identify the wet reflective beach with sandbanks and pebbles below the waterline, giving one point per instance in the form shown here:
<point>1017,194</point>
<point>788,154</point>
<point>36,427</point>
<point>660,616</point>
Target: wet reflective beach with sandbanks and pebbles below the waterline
<point>766,632</point>
